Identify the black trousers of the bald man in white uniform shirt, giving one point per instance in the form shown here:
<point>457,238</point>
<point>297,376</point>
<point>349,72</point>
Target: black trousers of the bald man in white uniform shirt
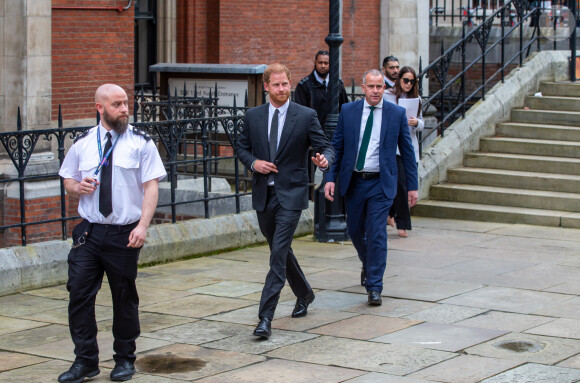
<point>105,250</point>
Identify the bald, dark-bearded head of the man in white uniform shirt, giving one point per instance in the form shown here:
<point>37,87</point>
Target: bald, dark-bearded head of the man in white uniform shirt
<point>113,106</point>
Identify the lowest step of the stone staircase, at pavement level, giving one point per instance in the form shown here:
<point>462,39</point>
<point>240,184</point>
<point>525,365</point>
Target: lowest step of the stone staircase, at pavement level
<point>493,213</point>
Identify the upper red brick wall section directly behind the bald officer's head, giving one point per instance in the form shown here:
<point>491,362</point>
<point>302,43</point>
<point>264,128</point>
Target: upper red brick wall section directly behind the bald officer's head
<point>89,48</point>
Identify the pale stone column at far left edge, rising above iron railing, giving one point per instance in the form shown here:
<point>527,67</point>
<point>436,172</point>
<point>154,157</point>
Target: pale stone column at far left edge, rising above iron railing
<point>25,63</point>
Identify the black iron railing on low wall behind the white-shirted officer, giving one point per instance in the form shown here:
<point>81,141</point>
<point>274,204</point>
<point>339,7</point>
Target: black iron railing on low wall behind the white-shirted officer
<point>196,143</point>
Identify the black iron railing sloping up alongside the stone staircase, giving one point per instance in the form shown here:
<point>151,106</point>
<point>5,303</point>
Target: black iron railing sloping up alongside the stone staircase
<point>452,87</point>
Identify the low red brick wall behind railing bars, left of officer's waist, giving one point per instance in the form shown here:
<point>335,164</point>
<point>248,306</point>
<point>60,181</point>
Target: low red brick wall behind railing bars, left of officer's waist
<point>38,209</point>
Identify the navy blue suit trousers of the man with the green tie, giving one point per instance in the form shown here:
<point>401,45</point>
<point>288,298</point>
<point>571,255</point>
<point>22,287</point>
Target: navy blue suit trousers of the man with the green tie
<point>366,220</point>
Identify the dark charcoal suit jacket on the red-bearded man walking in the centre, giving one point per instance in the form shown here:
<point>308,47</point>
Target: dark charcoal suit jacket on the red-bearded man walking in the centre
<point>301,130</point>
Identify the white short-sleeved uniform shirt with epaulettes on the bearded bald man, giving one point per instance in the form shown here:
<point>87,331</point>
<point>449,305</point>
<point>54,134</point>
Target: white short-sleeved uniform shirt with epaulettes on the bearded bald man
<point>135,161</point>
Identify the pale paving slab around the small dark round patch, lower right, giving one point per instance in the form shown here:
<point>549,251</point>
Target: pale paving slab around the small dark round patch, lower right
<point>552,350</point>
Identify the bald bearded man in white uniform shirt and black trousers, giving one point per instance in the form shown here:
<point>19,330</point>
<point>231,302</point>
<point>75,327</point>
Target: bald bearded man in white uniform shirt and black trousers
<point>111,156</point>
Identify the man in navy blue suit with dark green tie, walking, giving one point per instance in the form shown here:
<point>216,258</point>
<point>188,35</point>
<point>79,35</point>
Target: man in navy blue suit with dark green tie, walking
<point>365,144</point>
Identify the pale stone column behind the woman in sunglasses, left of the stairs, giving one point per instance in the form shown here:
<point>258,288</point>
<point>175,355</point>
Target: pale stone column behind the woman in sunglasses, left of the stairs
<point>405,31</point>
